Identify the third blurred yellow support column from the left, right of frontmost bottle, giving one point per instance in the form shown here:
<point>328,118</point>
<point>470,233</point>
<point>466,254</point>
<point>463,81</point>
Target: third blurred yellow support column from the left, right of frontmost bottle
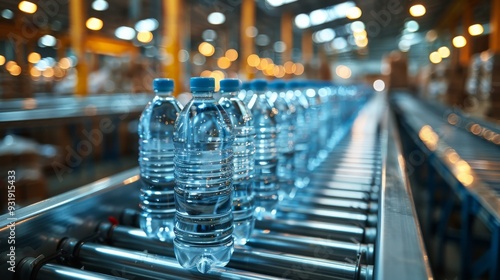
<point>247,43</point>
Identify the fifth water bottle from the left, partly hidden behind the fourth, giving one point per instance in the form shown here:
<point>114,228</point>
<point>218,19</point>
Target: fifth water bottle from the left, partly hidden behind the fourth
<point>285,141</point>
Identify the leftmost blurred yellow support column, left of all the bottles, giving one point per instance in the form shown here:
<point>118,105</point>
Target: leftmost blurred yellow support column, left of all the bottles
<point>77,38</point>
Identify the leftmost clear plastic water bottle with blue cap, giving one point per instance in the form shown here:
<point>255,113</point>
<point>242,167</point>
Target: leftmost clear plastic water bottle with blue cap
<point>156,154</point>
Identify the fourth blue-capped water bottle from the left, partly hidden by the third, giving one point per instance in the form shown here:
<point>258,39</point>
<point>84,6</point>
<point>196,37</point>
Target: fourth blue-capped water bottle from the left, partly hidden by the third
<point>265,183</point>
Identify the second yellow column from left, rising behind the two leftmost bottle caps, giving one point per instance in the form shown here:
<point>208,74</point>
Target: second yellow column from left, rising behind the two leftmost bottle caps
<point>172,41</point>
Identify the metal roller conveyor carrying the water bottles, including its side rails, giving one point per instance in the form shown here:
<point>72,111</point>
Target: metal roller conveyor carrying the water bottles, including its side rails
<point>354,221</point>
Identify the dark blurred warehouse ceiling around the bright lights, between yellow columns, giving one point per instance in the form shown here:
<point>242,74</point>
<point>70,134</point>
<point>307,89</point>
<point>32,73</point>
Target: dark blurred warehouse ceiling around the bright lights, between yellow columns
<point>384,21</point>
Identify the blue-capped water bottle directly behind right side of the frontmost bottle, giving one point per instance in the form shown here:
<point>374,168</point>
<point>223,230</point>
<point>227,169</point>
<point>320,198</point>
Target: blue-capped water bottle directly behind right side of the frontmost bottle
<point>244,152</point>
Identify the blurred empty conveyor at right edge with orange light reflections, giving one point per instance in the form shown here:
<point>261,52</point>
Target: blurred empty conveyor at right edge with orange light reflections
<point>450,158</point>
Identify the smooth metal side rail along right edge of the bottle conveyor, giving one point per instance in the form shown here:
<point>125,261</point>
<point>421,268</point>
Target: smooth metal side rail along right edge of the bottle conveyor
<point>400,249</point>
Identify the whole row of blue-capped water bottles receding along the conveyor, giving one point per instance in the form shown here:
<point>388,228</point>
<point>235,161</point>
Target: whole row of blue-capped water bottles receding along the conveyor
<point>211,167</point>
